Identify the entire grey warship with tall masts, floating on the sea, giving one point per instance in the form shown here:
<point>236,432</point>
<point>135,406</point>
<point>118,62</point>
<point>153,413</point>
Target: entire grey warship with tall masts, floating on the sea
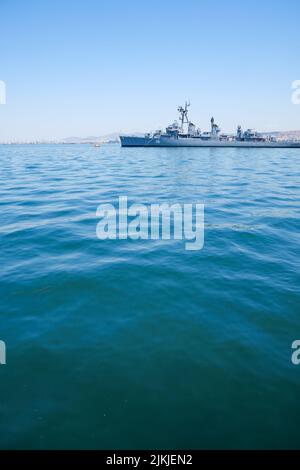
<point>186,134</point>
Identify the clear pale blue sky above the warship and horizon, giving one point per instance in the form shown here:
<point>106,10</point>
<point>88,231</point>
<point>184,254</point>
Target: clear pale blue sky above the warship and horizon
<point>93,67</point>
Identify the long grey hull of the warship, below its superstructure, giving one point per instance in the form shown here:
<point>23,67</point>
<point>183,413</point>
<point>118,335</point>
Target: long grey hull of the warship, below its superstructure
<point>132,141</point>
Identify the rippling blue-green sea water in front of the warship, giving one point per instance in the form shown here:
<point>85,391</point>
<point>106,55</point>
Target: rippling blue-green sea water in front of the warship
<point>123,344</point>
